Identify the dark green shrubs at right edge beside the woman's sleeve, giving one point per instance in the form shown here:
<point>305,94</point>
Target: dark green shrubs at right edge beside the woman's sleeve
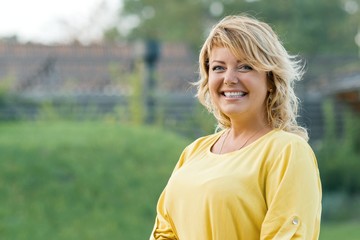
<point>339,156</point>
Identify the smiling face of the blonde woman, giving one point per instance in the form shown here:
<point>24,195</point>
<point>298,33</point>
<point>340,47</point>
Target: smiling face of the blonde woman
<point>237,90</point>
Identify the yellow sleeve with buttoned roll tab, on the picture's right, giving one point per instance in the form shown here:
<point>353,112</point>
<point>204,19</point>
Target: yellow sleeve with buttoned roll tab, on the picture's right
<point>293,195</point>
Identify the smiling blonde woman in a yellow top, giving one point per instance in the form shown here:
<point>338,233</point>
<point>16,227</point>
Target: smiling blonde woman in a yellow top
<point>257,178</point>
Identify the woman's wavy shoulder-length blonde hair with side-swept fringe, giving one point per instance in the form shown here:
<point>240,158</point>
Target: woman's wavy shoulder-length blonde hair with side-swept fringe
<point>255,43</point>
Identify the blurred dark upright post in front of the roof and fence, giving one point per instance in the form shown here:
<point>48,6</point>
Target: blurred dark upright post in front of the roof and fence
<point>151,57</point>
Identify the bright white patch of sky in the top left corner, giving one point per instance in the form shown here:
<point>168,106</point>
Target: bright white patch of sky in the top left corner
<point>56,21</point>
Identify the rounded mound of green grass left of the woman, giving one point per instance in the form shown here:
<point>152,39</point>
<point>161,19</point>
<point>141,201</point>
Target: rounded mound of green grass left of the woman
<point>85,180</point>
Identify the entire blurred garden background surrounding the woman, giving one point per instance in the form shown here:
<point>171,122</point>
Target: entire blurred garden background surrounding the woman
<point>96,105</point>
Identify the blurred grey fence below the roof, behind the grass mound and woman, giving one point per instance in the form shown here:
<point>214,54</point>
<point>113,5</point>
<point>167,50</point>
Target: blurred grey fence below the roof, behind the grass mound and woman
<point>178,112</point>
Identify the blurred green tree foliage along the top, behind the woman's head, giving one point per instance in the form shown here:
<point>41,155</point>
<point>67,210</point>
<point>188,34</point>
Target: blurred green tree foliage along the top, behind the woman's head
<point>306,26</point>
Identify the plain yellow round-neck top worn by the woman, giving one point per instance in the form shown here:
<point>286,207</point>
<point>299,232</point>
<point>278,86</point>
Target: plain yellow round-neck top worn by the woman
<point>270,189</point>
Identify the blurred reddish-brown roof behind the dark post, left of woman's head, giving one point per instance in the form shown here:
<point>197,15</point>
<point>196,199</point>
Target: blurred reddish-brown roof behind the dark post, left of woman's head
<point>73,69</point>
